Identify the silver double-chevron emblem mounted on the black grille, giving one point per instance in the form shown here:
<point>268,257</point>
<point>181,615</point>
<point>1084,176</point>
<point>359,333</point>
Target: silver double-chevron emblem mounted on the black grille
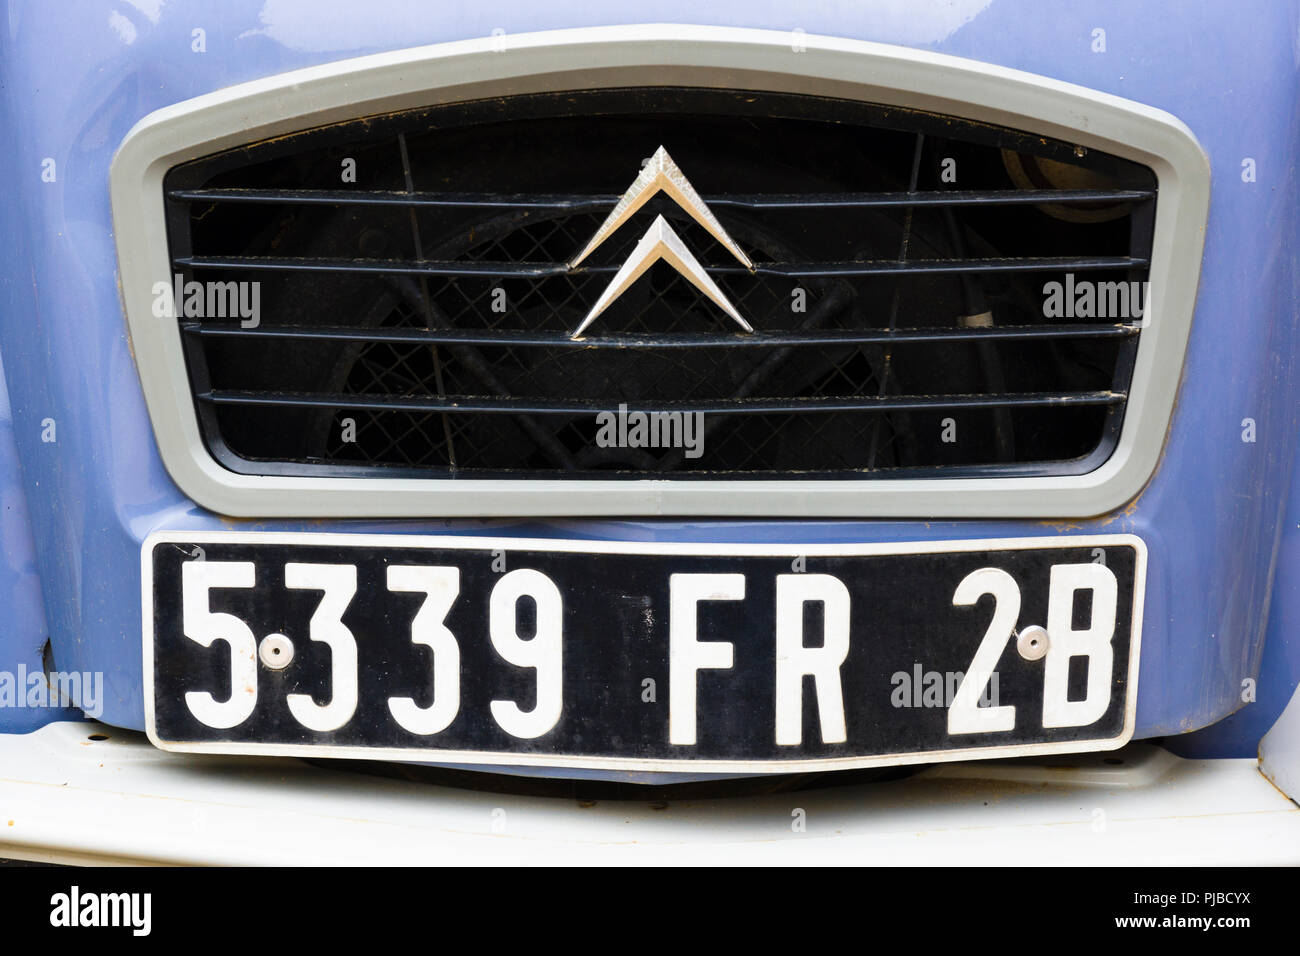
<point>661,175</point>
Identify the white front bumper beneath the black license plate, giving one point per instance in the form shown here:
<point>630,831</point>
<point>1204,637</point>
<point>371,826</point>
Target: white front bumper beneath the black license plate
<point>68,799</point>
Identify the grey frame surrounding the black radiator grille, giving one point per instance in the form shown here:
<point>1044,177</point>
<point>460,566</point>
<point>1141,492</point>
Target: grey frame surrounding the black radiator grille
<point>610,58</point>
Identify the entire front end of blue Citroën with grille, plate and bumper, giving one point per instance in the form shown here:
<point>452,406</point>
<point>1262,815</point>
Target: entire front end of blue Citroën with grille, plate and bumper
<point>417,416</point>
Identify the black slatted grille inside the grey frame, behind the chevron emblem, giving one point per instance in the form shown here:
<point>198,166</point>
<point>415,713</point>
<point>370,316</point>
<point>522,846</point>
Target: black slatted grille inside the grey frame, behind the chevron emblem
<point>418,321</point>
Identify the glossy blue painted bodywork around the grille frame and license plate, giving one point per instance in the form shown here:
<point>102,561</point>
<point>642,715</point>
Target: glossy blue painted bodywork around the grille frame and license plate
<point>83,482</point>
